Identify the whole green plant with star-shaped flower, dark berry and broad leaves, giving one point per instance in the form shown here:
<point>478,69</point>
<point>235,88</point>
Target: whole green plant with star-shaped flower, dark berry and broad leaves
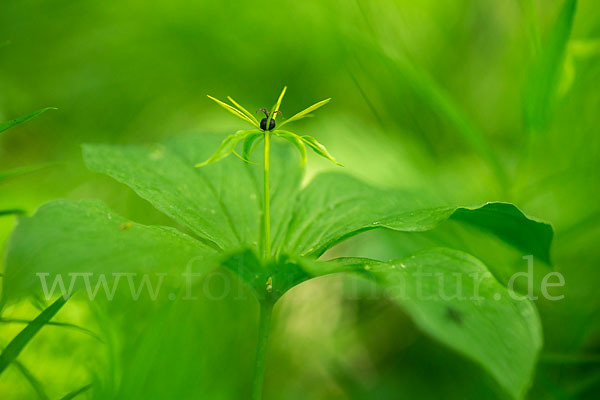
<point>230,225</point>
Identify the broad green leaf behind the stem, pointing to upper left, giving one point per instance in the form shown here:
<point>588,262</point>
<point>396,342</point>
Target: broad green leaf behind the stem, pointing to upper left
<point>220,202</point>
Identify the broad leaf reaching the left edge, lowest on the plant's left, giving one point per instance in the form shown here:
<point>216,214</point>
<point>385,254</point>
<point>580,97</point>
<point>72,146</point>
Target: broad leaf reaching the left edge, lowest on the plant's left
<point>66,237</point>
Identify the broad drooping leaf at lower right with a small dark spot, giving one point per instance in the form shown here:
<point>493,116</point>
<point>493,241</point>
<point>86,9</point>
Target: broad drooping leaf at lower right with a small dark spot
<point>452,297</point>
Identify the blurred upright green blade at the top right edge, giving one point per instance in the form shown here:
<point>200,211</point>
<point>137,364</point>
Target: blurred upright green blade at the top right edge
<point>545,73</point>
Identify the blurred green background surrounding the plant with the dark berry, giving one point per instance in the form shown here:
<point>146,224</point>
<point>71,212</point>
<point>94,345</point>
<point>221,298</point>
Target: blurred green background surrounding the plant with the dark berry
<point>469,100</point>
